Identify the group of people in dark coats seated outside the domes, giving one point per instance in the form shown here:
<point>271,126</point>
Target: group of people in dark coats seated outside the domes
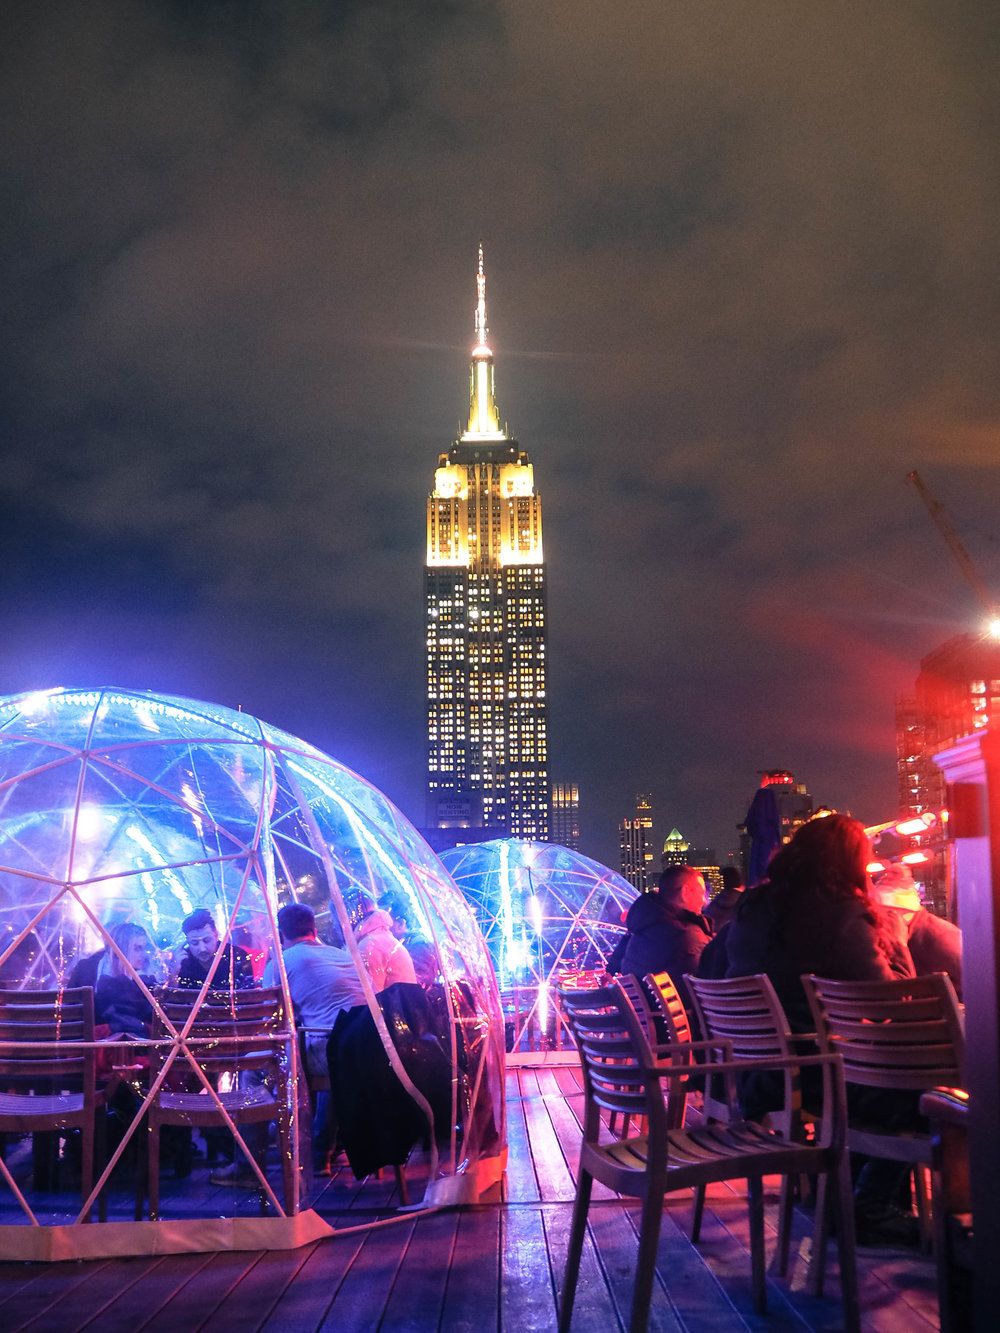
<point>818,911</point>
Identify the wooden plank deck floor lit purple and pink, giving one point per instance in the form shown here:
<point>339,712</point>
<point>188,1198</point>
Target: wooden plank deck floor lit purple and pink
<point>493,1267</point>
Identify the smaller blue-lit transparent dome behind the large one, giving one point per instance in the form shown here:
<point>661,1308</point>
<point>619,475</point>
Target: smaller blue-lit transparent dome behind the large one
<point>550,916</point>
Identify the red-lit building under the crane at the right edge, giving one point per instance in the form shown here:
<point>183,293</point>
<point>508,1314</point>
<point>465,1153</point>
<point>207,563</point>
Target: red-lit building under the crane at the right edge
<point>958,692</point>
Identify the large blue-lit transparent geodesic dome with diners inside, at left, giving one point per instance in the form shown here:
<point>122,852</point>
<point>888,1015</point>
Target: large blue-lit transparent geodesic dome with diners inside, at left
<point>127,816</point>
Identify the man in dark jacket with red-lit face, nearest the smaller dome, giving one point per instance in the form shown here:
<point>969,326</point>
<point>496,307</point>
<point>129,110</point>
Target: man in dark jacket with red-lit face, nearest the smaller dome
<point>667,931</point>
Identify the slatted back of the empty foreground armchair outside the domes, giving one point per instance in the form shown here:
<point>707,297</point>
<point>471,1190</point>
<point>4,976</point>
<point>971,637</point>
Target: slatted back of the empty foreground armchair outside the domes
<point>617,1059</point>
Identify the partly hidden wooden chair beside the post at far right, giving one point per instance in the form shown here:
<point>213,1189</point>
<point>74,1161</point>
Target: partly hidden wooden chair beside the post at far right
<point>947,1111</point>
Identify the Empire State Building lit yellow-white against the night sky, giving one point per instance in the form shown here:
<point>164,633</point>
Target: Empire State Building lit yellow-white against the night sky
<point>486,623</point>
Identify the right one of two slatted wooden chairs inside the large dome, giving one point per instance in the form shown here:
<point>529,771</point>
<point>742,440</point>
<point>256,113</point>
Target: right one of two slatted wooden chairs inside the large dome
<point>255,1071</point>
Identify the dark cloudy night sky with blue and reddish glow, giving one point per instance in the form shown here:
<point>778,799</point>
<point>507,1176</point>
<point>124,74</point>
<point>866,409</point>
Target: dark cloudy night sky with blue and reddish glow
<point>742,269</point>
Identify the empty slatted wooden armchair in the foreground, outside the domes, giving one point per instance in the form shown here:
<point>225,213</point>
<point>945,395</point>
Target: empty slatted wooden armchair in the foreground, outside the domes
<point>622,1074</point>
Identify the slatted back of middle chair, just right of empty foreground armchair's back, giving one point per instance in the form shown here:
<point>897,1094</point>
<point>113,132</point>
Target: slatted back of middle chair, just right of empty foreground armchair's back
<point>747,1012</point>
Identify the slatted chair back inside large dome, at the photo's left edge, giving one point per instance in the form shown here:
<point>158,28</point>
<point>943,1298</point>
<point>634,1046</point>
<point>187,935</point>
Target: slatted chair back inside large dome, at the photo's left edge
<point>35,1020</point>
